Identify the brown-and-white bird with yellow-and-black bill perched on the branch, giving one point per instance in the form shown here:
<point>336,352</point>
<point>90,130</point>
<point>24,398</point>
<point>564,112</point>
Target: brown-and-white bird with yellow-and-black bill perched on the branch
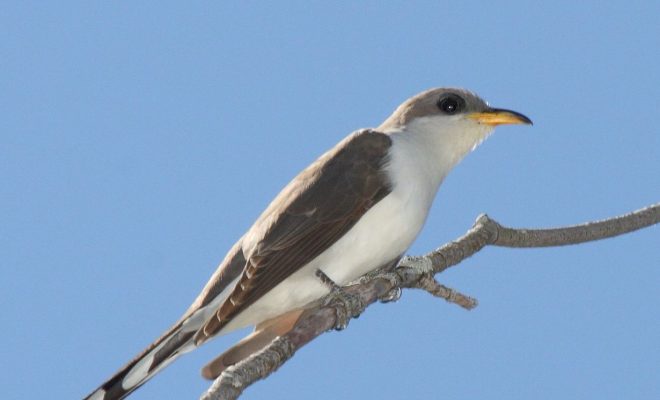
<point>356,209</point>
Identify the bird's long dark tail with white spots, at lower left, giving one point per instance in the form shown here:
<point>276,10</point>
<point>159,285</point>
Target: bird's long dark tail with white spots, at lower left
<point>157,356</point>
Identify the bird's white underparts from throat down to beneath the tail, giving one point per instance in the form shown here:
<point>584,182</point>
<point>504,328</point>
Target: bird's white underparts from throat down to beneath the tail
<point>421,155</point>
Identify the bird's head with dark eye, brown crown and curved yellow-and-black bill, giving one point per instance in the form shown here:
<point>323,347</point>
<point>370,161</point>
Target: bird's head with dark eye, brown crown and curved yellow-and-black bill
<point>454,121</point>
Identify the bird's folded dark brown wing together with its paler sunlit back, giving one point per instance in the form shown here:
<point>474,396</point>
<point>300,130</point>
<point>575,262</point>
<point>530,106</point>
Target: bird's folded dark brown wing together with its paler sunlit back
<point>321,204</point>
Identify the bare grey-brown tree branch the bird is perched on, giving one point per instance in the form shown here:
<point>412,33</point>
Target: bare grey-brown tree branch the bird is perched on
<point>417,272</point>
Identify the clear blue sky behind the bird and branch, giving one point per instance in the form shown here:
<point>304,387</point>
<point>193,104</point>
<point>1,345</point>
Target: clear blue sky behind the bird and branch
<point>139,141</point>
